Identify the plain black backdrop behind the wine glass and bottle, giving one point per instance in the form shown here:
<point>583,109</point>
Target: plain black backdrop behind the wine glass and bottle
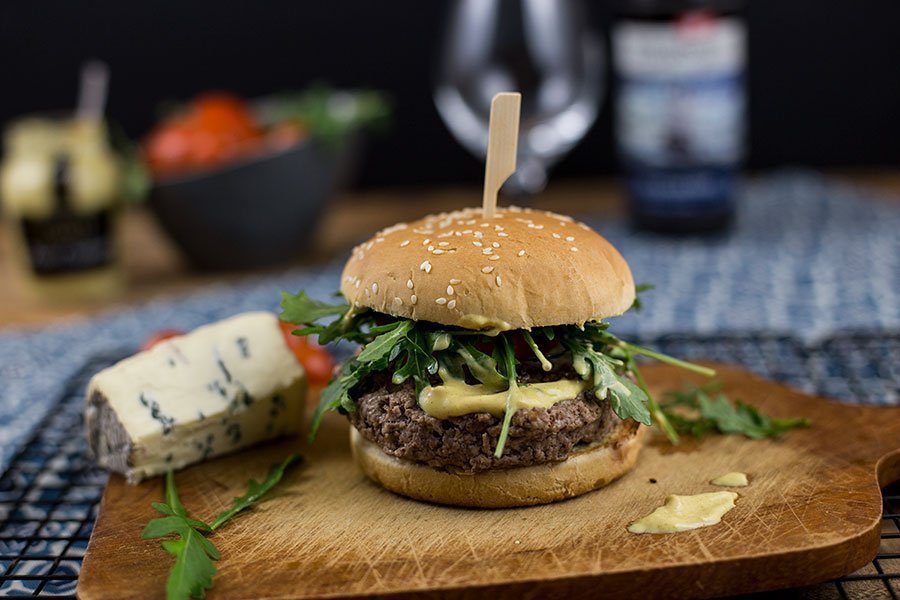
<point>824,75</point>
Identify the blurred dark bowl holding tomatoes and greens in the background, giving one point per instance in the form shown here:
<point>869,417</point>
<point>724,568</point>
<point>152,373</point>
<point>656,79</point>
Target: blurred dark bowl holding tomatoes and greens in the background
<point>259,212</point>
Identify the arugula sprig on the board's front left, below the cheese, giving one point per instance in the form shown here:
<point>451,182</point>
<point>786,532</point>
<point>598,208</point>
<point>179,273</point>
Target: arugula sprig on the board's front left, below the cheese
<point>191,575</point>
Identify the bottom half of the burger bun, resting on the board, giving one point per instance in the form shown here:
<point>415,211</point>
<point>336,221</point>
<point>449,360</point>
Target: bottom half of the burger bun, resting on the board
<point>585,470</point>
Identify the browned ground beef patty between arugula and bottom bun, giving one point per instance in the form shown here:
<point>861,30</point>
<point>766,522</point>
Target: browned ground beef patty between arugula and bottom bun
<point>389,416</point>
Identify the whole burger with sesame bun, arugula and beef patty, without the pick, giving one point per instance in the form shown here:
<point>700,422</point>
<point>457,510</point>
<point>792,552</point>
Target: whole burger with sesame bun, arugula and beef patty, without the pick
<point>487,375</point>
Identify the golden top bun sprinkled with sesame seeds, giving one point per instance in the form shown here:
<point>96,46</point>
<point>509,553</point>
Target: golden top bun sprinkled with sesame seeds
<point>520,269</point>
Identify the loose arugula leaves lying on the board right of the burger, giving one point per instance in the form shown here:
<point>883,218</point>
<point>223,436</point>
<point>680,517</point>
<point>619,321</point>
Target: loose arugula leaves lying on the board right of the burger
<point>716,414</point>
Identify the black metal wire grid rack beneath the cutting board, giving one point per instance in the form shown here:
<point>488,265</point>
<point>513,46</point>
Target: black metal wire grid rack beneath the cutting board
<point>49,495</point>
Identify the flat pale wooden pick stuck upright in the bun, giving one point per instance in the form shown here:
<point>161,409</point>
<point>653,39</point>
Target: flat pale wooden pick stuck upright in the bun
<point>503,139</point>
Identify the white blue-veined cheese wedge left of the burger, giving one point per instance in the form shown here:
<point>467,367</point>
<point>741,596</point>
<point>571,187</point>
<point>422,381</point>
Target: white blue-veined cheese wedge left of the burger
<point>218,389</point>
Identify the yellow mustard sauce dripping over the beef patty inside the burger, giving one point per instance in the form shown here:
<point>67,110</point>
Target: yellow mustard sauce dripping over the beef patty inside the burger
<point>455,398</point>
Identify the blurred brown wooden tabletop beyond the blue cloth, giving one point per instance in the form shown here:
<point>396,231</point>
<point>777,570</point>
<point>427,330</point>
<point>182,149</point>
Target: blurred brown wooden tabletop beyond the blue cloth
<point>154,267</point>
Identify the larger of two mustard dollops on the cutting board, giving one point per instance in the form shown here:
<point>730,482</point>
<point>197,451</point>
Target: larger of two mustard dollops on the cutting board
<point>682,513</point>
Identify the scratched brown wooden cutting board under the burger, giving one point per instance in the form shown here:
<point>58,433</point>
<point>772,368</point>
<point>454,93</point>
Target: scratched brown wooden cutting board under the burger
<point>811,513</point>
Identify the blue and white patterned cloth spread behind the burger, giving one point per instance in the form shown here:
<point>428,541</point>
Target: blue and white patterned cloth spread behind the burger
<point>809,257</point>
